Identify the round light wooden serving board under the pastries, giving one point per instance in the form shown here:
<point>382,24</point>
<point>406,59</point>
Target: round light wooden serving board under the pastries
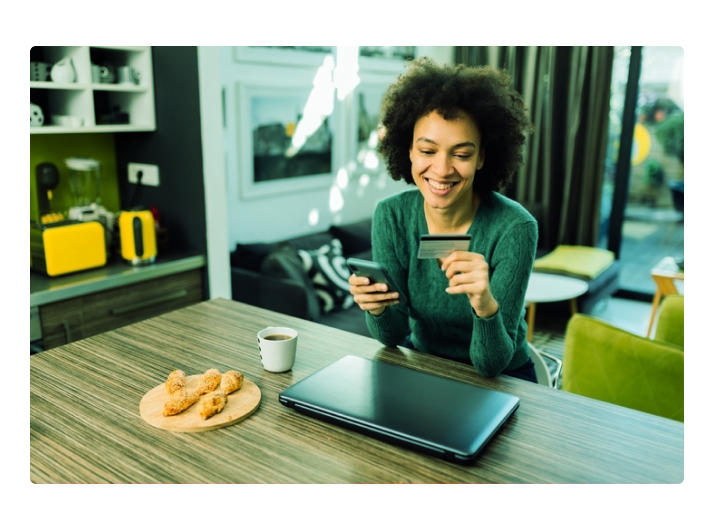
<point>240,404</point>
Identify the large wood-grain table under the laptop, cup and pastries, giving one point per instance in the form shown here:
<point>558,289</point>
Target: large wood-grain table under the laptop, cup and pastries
<point>85,425</point>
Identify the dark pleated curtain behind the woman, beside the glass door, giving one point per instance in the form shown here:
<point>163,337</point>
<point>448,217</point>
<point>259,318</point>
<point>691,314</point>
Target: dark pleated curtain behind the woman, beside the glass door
<point>567,90</point>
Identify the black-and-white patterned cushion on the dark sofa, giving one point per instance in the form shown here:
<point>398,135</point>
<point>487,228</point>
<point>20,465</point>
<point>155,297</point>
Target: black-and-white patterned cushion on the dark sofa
<point>327,269</point>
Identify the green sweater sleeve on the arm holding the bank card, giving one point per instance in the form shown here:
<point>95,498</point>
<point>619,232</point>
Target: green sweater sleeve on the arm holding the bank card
<point>496,340</point>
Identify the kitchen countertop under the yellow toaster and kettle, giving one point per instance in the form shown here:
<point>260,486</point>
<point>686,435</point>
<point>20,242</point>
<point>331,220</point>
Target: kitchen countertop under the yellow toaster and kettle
<point>44,290</point>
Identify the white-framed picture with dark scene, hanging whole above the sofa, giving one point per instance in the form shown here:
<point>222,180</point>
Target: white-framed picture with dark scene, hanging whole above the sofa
<point>275,156</point>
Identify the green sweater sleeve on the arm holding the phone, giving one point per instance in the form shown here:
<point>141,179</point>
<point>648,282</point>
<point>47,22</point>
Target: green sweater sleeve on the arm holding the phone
<point>391,327</point>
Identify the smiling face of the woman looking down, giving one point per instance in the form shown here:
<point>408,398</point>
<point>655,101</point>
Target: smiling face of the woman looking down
<point>445,156</point>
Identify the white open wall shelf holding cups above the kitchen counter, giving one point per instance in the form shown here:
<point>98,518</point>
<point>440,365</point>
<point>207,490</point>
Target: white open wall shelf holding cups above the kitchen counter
<point>90,100</point>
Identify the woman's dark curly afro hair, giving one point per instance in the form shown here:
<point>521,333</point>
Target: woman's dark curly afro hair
<point>482,92</point>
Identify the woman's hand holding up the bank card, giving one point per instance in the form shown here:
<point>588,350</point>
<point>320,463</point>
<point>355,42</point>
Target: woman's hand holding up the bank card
<point>469,273</point>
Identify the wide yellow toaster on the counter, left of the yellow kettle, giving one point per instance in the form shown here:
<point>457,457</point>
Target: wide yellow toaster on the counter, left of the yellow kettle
<point>66,246</point>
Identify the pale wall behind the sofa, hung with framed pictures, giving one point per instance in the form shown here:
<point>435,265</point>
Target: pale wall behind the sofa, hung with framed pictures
<point>336,200</point>
